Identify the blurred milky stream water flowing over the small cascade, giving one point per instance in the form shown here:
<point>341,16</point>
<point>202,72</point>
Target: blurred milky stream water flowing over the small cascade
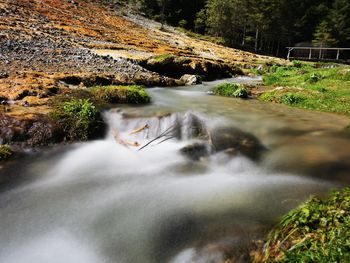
<point>108,201</point>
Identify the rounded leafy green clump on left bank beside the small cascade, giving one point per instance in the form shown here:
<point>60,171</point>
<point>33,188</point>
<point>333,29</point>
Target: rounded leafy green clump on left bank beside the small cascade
<point>79,119</point>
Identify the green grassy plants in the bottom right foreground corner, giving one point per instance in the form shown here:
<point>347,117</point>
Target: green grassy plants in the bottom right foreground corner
<point>318,231</point>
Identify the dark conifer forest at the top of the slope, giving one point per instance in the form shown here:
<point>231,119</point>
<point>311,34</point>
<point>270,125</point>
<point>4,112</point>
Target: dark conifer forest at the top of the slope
<point>263,26</point>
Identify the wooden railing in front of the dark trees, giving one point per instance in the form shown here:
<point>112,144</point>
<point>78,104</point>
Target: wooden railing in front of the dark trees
<point>317,53</point>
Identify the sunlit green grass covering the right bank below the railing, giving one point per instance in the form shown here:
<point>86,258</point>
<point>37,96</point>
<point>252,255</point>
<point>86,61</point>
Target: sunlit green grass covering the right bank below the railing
<point>323,87</point>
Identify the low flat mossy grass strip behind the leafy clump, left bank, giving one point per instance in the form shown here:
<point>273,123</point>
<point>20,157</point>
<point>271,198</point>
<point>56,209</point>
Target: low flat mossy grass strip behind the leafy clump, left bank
<point>121,94</point>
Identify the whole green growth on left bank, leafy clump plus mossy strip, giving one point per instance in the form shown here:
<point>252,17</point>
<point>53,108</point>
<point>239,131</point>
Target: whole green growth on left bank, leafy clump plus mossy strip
<point>79,114</point>
